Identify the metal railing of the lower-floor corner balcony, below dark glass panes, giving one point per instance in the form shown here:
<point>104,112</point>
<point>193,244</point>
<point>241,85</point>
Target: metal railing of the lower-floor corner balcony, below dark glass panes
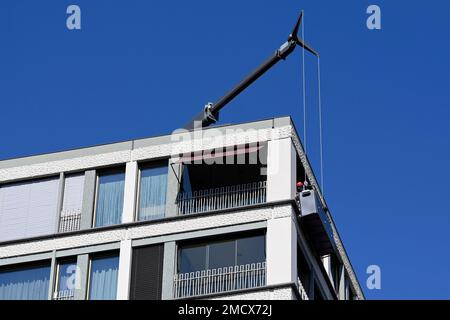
<point>220,280</point>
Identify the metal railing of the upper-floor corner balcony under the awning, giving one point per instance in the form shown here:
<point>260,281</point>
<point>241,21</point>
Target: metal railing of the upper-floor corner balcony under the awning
<point>221,198</point>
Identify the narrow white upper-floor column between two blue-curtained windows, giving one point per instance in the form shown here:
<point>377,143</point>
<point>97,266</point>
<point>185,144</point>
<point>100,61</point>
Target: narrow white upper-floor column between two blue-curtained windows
<point>129,201</point>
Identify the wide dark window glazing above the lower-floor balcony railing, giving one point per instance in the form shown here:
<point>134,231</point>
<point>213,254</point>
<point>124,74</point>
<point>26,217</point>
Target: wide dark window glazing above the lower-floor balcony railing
<point>223,253</point>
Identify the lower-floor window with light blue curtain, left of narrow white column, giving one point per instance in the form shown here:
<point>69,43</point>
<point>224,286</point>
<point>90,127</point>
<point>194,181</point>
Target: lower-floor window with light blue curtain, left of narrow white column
<point>103,277</point>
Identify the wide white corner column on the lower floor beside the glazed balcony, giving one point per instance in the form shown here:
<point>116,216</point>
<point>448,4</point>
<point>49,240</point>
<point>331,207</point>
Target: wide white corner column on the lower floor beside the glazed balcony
<point>281,251</point>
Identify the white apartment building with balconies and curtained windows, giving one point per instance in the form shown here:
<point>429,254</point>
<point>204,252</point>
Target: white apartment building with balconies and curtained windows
<point>204,214</point>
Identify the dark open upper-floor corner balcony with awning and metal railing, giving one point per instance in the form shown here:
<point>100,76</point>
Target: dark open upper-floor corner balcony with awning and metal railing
<point>221,179</point>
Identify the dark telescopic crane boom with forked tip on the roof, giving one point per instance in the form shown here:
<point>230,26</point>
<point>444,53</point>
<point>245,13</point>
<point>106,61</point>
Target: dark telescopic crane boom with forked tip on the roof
<point>210,113</point>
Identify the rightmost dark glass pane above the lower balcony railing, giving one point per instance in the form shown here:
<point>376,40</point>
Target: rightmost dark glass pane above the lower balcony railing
<point>251,250</point>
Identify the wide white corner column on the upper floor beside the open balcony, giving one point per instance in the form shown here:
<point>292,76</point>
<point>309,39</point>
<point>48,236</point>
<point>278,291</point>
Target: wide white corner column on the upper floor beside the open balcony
<point>281,170</point>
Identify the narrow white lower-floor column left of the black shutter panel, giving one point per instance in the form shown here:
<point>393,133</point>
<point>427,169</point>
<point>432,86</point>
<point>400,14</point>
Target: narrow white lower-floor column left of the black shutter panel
<point>124,276</point>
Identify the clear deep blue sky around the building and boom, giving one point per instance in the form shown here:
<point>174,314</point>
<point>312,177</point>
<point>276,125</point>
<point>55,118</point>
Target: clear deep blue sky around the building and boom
<point>141,68</point>
